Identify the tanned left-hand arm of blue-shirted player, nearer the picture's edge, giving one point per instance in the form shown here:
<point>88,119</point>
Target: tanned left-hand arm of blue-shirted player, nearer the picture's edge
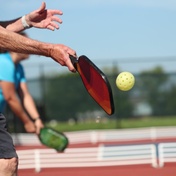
<point>11,98</point>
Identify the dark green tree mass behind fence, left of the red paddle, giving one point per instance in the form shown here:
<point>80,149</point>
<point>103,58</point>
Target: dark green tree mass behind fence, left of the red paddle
<point>66,96</point>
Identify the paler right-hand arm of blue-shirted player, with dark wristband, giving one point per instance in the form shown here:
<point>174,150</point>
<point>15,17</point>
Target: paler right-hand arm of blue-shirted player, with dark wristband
<point>29,106</point>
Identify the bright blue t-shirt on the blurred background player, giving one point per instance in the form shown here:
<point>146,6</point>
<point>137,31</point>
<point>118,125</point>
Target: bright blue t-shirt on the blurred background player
<point>9,72</point>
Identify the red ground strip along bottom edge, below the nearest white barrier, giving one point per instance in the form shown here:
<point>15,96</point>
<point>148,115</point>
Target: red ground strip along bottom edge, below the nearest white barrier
<point>137,170</point>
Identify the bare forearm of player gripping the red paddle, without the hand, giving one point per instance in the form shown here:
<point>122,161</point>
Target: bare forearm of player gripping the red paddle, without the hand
<point>11,41</point>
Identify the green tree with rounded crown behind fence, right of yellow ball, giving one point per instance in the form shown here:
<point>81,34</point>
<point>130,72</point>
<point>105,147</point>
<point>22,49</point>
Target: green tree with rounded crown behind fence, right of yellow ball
<point>152,87</point>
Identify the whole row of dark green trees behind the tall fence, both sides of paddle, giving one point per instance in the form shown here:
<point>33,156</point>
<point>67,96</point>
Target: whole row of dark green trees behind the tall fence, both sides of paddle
<point>66,97</point>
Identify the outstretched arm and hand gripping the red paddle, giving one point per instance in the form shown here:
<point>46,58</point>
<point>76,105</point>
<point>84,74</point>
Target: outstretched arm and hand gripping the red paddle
<point>11,41</point>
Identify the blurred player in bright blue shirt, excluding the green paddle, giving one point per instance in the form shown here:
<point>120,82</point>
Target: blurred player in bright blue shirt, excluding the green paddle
<point>14,90</point>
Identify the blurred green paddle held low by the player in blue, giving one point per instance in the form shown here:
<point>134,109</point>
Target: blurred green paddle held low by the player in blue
<point>53,139</point>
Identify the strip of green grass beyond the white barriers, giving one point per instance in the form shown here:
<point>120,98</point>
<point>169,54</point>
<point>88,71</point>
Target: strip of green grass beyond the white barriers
<point>118,124</point>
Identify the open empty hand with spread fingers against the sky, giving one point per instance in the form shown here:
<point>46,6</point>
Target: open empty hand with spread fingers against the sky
<point>43,18</point>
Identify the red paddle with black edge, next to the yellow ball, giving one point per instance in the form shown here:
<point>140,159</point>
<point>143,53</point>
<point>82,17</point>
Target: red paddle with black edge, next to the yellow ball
<point>96,83</point>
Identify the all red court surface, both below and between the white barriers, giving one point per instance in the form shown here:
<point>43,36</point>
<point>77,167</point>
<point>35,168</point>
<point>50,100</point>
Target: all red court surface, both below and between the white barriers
<point>169,169</point>
